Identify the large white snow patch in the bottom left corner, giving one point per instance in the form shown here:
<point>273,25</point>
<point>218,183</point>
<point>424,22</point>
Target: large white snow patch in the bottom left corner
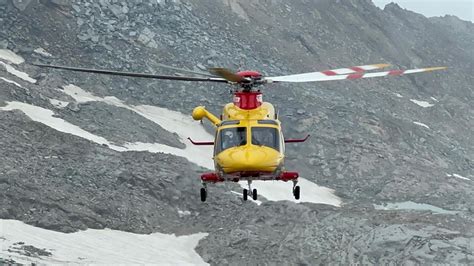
<point>94,246</point>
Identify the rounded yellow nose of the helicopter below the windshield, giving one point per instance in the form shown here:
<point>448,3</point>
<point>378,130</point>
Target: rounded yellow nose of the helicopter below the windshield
<point>250,158</point>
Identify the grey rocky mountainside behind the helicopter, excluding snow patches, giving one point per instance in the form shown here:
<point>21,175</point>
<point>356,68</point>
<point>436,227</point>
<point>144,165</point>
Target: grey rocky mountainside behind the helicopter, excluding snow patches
<point>365,143</point>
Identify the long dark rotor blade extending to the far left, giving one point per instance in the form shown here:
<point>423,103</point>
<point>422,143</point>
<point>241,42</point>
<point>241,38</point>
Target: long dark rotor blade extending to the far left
<point>132,74</point>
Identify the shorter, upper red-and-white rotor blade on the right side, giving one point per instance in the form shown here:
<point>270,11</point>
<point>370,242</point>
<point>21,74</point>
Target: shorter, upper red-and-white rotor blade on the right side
<point>307,77</point>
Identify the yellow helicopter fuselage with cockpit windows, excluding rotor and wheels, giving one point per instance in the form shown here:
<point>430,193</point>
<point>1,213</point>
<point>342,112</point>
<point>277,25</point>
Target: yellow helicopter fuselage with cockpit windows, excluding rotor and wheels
<point>260,147</point>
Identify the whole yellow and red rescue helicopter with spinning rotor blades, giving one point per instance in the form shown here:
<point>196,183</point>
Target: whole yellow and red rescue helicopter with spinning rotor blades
<point>249,144</point>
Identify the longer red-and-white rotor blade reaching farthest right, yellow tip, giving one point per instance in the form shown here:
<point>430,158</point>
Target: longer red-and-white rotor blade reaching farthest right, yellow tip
<point>307,78</point>
